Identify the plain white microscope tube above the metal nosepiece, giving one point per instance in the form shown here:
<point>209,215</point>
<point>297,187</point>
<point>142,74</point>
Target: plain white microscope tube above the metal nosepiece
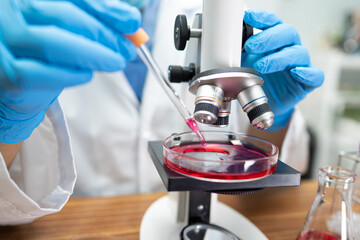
<point>221,41</point>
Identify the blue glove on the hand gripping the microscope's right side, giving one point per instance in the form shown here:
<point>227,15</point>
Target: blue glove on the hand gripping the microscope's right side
<point>283,62</point>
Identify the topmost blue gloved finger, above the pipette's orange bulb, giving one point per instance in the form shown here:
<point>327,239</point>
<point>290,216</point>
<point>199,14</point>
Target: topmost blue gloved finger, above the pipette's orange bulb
<point>119,15</point>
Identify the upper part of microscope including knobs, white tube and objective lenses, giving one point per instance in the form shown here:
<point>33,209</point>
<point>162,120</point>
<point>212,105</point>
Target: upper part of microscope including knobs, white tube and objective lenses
<point>214,71</point>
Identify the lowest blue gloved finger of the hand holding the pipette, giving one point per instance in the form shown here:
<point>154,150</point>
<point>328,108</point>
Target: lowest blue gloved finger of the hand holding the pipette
<point>59,47</point>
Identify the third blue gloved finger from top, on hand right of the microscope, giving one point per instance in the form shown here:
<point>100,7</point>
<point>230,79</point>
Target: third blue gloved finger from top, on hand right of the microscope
<point>286,58</point>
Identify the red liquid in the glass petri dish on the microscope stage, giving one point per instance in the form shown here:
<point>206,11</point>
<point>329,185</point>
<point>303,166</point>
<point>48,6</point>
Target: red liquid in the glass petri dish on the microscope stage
<point>220,161</point>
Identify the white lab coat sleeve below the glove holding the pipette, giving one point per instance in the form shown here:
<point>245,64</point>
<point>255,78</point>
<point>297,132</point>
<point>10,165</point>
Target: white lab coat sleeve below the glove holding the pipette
<point>42,177</point>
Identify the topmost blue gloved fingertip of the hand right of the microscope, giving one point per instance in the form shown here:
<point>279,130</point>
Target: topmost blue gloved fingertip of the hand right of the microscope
<point>261,19</point>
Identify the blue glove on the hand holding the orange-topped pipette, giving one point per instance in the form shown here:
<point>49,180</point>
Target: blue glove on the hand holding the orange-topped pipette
<point>46,46</point>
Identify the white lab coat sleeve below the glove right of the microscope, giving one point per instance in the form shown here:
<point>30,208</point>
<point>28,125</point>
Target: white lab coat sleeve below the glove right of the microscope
<point>295,147</point>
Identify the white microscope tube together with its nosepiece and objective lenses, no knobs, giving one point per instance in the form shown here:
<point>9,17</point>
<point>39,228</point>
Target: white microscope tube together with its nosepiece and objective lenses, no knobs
<point>220,67</point>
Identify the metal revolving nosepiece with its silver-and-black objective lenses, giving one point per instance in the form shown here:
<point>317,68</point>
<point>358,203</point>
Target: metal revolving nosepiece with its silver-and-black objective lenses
<point>241,83</point>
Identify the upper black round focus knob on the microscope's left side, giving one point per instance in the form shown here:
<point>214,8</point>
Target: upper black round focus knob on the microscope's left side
<point>182,32</point>
